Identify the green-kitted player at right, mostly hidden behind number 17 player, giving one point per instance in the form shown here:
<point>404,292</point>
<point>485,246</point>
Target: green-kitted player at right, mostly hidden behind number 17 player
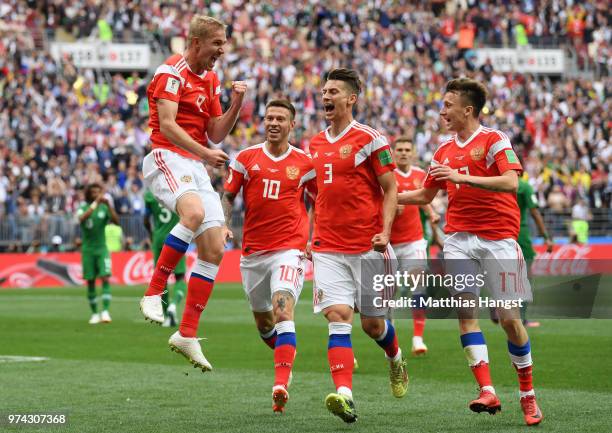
<point>528,205</point>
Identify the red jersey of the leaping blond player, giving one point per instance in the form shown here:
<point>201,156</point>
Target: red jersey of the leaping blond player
<point>197,96</point>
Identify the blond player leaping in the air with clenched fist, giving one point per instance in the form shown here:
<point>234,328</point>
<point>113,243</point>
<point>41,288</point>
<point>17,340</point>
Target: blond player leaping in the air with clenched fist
<point>185,111</point>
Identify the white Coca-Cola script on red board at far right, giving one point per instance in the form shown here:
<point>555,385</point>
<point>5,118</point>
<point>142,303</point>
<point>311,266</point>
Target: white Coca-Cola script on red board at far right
<point>568,260</point>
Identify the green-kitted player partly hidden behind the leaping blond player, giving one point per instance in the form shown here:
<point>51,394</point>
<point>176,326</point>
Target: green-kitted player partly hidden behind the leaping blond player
<point>163,221</point>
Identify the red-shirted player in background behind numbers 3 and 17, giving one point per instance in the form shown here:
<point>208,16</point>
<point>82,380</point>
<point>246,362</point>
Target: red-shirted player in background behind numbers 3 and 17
<point>407,234</point>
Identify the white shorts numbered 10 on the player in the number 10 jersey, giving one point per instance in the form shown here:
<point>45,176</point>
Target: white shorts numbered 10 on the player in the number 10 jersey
<point>268,272</point>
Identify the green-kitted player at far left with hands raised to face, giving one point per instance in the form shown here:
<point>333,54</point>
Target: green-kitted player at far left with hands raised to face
<point>93,216</point>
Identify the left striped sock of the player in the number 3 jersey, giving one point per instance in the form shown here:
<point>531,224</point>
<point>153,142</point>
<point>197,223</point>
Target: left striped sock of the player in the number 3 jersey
<point>340,357</point>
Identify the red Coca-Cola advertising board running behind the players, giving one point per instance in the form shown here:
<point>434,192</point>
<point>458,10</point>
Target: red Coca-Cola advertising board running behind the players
<point>133,268</point>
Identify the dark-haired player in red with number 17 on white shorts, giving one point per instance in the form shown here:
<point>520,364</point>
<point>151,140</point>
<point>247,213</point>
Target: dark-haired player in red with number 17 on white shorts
<point>480,170</point>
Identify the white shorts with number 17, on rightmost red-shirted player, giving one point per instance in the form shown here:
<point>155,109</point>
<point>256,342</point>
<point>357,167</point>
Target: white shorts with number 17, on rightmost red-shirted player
<point>498,264</point>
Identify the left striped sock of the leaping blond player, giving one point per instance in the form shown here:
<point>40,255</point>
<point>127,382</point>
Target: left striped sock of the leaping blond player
<point>174,248</point>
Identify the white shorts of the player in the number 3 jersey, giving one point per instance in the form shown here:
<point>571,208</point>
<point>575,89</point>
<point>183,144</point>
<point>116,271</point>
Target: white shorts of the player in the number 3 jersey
<point>354,280</point>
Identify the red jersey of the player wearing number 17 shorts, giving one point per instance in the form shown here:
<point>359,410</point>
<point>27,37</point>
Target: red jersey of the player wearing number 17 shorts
<point>489,214</point>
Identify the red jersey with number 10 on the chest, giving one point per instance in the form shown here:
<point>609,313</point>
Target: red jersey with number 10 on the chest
<point>273,192</point>
